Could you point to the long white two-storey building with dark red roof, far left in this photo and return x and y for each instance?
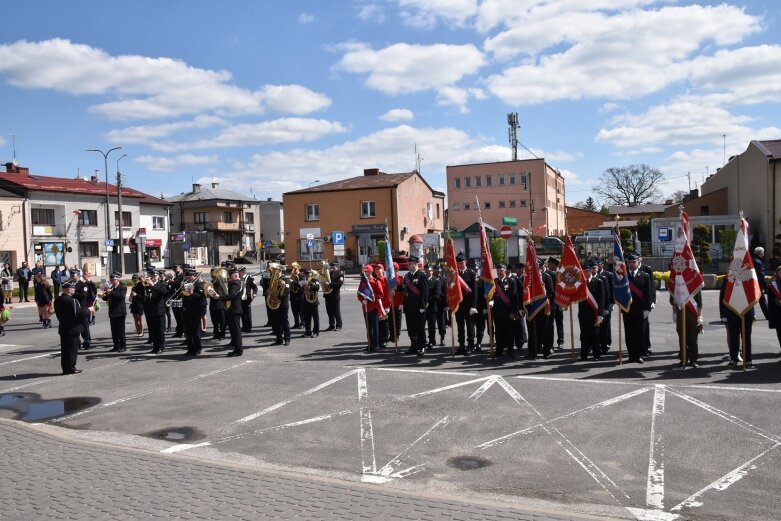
(65, 221)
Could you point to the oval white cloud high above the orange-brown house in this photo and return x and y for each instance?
(404, 68)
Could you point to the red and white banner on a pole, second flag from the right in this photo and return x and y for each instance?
(685, 276)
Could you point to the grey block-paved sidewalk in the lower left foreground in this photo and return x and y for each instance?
(48, 476)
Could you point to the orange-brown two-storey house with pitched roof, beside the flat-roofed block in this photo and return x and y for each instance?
(357, 212)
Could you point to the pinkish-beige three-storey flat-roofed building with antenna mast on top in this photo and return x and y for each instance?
(528, 193)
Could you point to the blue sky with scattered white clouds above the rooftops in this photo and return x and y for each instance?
(270, 96)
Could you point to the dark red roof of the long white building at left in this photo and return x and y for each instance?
(43, 183)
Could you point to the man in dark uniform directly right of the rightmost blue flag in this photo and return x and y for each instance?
(637, 316)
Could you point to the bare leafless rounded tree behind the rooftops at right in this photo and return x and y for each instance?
(630, 185)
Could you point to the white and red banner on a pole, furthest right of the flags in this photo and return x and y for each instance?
(742, 291)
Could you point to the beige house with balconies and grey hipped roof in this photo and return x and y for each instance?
(210, 225)
